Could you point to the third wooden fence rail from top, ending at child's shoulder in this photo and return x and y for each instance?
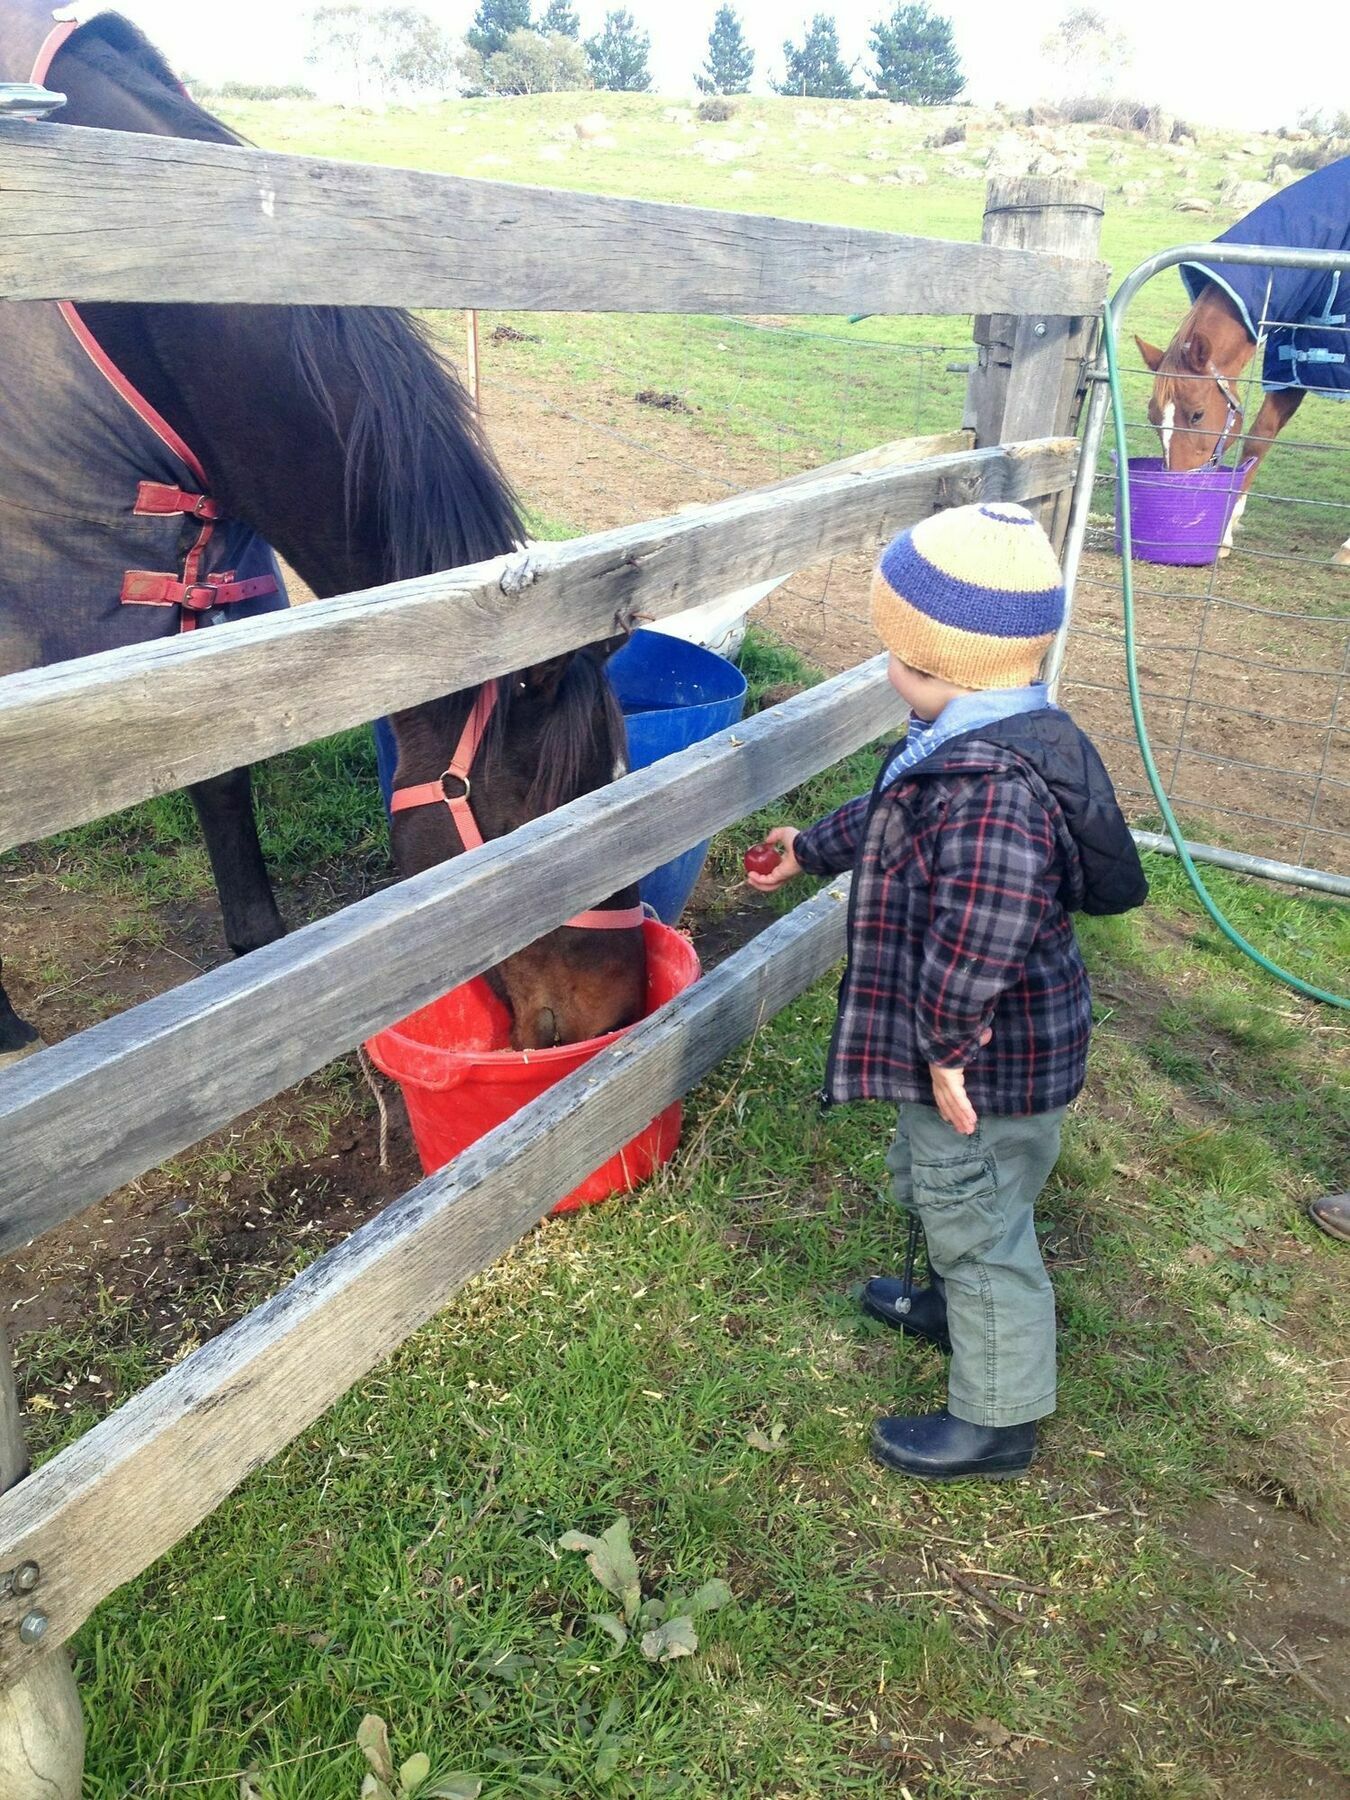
(102, 1108)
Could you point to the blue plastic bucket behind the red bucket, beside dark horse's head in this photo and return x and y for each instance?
(672, 694)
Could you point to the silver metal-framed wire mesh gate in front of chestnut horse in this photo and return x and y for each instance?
(1245, 665)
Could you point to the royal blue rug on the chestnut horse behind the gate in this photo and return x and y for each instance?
(1300, 310)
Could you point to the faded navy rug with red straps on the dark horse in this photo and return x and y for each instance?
(109, 534)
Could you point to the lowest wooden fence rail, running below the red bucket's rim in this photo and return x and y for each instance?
(118, 1498)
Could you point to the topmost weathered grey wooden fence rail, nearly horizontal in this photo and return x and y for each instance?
(112, 217)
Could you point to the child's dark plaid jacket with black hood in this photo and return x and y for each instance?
(966, 872)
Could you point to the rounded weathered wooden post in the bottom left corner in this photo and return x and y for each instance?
(42, 1729)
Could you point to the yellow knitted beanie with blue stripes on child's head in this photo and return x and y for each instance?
(973, 595)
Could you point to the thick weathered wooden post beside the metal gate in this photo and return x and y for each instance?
(1030, 379)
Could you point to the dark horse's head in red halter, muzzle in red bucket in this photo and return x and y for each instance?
(555, 733)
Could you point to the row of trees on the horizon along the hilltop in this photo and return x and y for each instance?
(912, 57)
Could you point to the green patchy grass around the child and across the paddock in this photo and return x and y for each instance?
(1156, 1615)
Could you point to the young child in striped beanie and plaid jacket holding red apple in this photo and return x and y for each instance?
(966, 998)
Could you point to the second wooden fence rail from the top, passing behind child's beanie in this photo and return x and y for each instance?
(84, 739)
